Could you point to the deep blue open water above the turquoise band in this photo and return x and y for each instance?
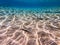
(30, 3)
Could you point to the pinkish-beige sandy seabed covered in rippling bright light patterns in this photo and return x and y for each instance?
(29, 29)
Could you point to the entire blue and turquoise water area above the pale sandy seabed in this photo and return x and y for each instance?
(44, 6)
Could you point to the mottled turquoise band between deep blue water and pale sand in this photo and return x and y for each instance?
(18, 11)
